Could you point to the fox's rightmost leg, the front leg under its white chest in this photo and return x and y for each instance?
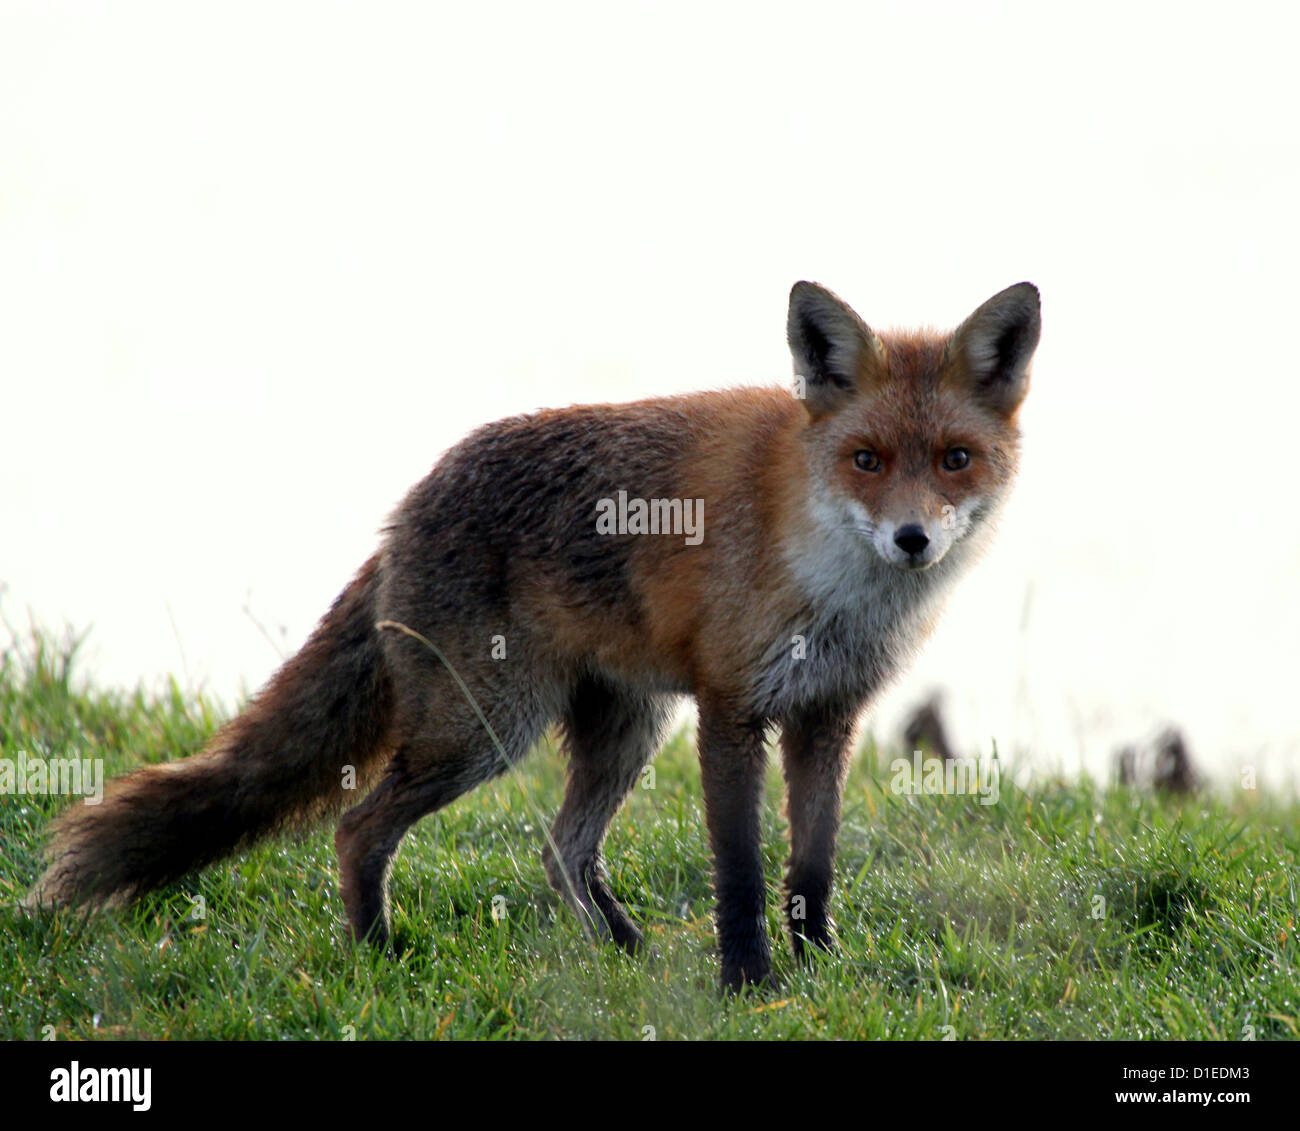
(816, 748)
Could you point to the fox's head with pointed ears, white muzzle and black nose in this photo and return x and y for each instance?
(912, 437)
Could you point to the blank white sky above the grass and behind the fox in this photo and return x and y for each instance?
(261, 265)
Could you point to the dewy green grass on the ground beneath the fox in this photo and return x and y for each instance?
(956, 920)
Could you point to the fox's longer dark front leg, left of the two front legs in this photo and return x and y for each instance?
(733, 760)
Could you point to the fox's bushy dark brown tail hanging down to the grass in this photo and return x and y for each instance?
(280, 765)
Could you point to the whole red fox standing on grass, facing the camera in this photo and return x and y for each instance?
(777, 557)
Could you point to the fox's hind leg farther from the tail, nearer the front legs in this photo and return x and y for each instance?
(610, 736)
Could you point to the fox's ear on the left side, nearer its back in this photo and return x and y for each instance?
(833, 348)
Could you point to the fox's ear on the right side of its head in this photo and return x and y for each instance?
(995, 346)
